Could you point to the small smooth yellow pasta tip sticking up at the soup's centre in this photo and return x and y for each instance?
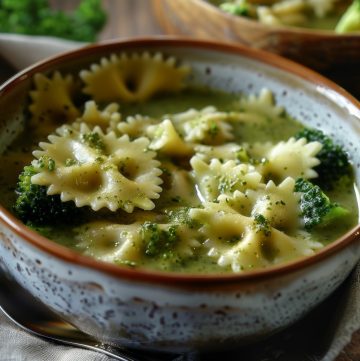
(164, 138)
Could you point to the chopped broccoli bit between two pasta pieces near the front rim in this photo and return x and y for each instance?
(159, 242)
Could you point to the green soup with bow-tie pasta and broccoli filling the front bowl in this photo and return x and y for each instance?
(133, 166)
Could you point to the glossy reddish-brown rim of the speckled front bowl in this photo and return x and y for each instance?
(178, 279)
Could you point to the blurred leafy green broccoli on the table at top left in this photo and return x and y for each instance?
(35, 17)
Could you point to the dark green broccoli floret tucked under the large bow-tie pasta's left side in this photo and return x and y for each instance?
(36, 208)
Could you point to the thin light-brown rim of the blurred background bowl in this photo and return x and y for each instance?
(281, 28)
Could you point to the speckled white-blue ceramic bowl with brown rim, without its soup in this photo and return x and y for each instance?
(178, 312)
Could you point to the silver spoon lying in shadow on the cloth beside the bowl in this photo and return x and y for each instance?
(28, 314)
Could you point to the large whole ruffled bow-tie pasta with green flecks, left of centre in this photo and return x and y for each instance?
(99, 170)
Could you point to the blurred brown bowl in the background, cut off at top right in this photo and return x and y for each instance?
(319, 49)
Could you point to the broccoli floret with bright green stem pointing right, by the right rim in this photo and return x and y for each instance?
(316, 208)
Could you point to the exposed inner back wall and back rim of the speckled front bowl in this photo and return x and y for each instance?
(308, 97)
